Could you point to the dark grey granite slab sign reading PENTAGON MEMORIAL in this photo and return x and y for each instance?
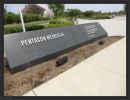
(28, 48)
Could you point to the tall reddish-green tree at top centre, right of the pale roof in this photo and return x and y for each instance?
(58, 9)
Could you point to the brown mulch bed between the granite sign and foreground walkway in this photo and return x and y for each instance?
(23, 81)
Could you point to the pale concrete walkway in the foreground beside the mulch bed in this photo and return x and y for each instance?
(103, 74)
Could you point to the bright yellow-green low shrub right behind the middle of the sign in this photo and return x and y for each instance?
(59, 23)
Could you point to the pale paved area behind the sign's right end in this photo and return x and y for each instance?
(114, 27)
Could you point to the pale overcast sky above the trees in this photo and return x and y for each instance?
(82, 7)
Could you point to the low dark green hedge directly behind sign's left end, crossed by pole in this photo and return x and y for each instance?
(18, 28)
